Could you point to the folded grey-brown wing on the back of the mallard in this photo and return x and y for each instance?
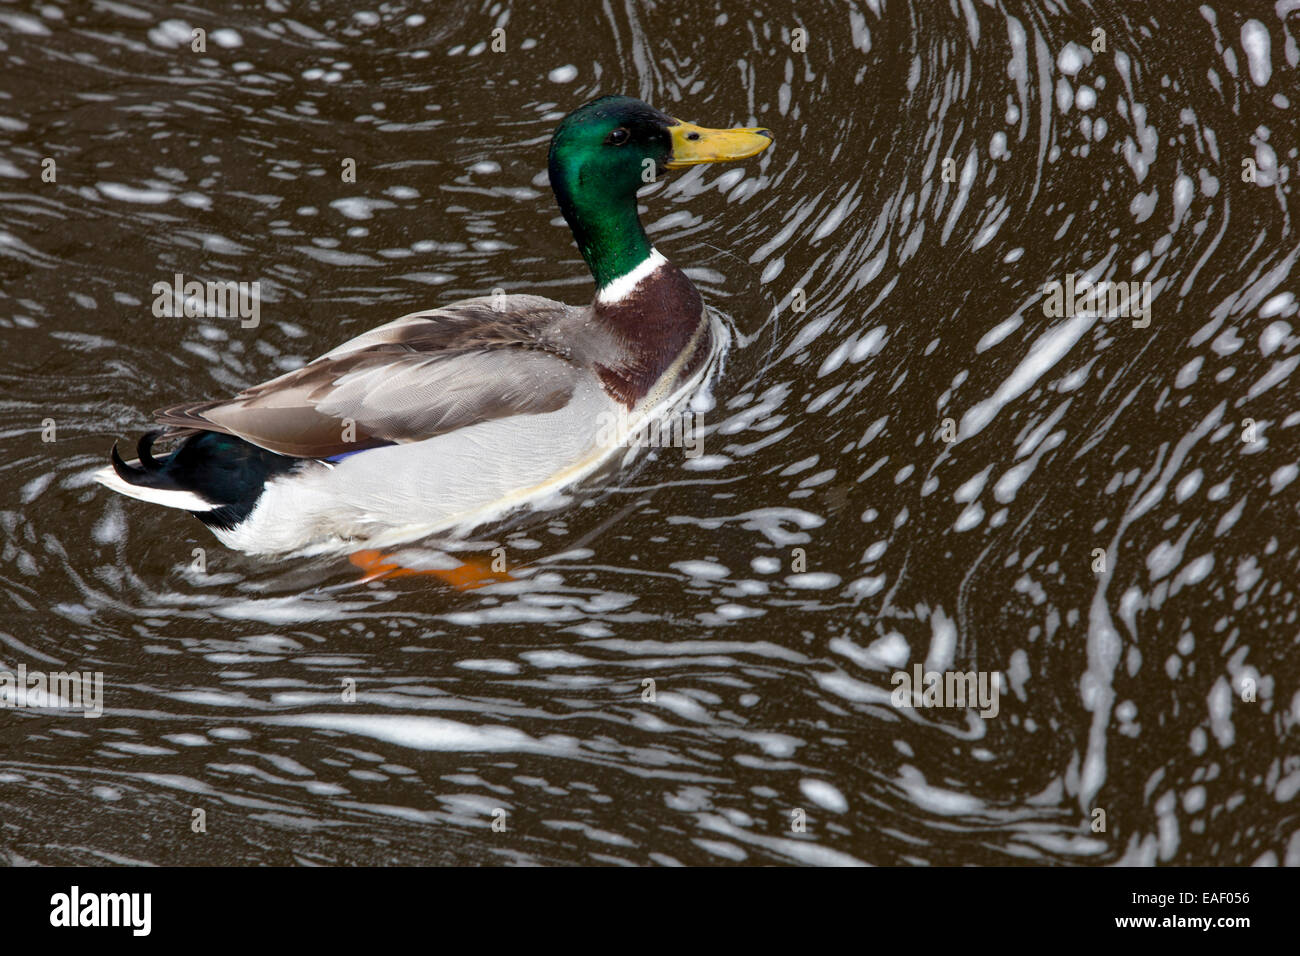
(417, 378)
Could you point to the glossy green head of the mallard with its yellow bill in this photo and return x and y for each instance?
(606, 150)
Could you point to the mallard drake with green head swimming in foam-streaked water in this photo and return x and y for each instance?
(448, 419)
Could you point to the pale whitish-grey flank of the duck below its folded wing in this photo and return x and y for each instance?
(453, 483)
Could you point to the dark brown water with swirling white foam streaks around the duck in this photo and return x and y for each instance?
(1163, 690)
